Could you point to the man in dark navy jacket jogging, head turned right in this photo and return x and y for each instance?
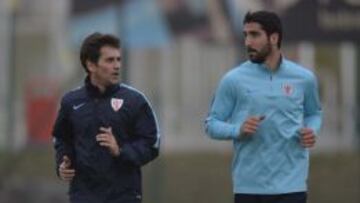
(105, 130)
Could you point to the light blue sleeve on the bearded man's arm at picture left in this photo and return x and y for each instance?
(217, 124)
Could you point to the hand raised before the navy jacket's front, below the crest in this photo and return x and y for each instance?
(106, 139)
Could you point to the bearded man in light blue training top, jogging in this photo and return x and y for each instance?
(269, 107)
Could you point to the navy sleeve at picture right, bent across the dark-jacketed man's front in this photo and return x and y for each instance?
(144, 146)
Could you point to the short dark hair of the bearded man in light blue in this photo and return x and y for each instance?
(269, 21)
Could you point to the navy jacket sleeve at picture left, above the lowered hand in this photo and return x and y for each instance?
(62, 136)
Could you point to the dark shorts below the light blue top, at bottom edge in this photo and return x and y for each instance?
(297, 197)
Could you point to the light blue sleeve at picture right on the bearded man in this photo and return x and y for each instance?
(312, 106)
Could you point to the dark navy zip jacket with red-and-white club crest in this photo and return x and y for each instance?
(100, 177)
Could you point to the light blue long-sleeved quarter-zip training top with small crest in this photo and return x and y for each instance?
(272, 161)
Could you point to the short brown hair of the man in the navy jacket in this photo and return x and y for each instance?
(90, 49)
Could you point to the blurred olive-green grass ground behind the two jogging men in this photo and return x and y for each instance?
(176, 178)
